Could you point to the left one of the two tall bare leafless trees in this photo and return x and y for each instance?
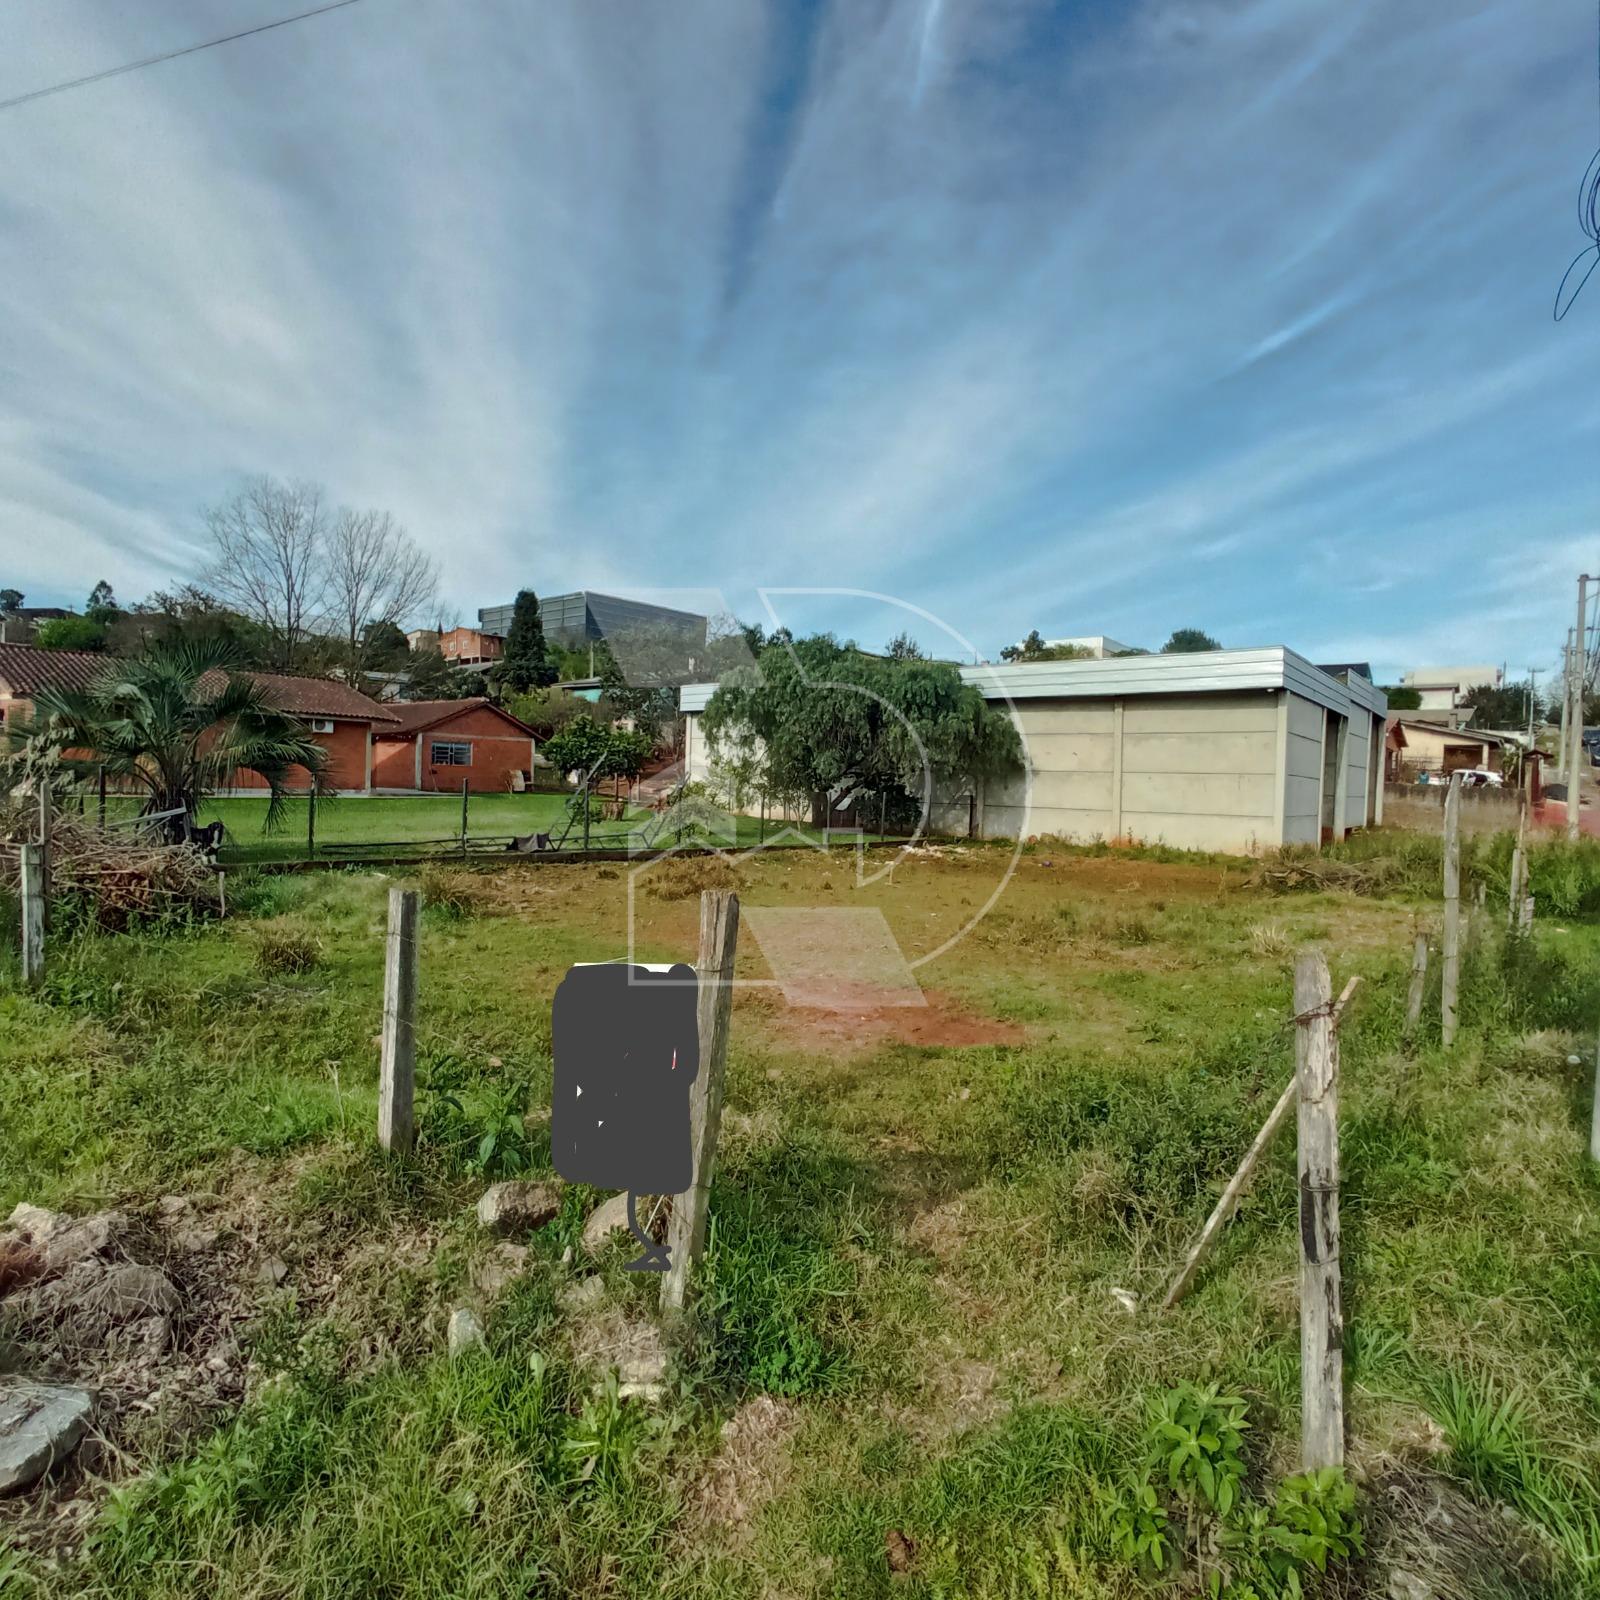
(270, 561)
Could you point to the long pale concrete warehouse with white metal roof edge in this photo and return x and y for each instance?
(1233, 750)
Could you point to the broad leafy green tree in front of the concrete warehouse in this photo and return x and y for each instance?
(838, 722)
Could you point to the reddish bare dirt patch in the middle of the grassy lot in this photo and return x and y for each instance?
(881, 1017)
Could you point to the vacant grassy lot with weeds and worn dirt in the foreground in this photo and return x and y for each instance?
(926, 1345)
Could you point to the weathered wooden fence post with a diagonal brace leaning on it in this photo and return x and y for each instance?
(1322, 1321)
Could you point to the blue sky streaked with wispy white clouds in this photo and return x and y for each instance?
(1095, 319)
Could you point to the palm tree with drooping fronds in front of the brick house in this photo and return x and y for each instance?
(180, 722)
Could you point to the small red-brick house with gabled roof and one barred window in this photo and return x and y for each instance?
(438, 745)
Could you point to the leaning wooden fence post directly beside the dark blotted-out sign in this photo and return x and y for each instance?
(719, 946)
